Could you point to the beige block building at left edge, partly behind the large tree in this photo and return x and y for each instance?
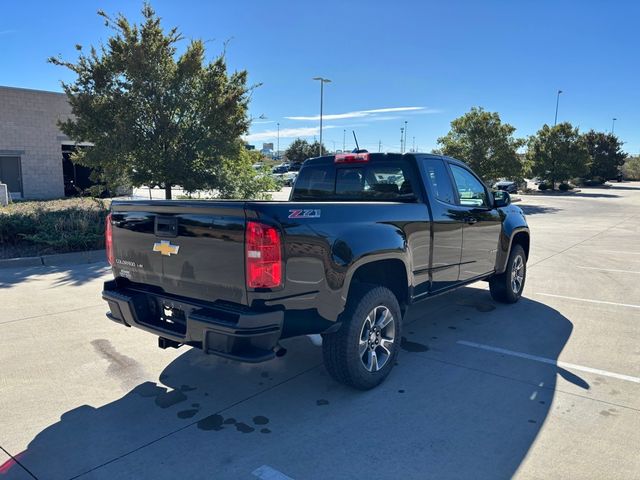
(32, 146)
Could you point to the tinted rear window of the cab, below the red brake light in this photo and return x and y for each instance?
(370, 182)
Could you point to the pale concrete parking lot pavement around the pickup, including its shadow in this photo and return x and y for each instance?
(546, 388)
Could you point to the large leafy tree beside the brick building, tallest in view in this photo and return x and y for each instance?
(154, 117)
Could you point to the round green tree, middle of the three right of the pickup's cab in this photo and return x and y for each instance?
(558, 153)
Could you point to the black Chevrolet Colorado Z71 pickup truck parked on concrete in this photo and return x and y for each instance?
(362, 237)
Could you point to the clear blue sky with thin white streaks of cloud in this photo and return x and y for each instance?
(433, 59)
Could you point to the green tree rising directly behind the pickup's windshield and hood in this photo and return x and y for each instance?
(485, 143)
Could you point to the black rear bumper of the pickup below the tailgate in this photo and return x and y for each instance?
(239, 334)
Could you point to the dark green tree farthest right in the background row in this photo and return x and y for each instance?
(605, 150)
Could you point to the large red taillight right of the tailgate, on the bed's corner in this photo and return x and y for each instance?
(263, 248)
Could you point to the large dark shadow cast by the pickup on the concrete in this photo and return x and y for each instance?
(448, 410)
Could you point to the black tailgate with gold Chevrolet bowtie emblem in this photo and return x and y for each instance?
(192, 249)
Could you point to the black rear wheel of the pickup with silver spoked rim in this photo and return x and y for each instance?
(341, 350)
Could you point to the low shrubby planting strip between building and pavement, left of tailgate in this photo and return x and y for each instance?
(30, 228)
